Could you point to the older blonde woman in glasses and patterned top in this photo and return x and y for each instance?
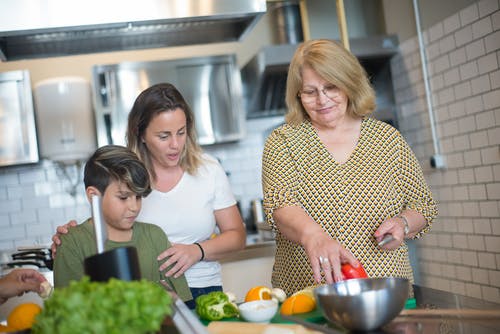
(336, 181)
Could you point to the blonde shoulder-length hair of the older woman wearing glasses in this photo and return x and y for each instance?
(335, 64)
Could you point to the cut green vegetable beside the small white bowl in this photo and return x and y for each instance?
(215, 306)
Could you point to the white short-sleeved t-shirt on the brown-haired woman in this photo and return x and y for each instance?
(186, 214)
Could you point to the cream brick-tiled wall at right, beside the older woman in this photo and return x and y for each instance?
(462, 253)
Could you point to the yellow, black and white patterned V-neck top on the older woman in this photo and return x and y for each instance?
(381, 178)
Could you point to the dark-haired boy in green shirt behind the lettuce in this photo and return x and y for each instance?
(121, 179)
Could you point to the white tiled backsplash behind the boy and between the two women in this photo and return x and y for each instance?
(35, 199)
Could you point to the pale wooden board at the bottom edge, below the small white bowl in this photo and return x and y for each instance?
(231, 327)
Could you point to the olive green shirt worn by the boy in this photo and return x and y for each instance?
(148, 239)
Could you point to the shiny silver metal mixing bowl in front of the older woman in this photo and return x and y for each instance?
(363, 303)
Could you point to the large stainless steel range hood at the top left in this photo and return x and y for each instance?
(46, 28)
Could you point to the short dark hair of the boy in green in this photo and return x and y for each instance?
(116, 163)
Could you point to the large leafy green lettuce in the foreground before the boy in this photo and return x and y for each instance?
(115, 306)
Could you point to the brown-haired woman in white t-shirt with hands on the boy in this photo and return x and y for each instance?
(191, 200)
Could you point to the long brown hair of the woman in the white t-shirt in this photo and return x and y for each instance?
(152, 101)
